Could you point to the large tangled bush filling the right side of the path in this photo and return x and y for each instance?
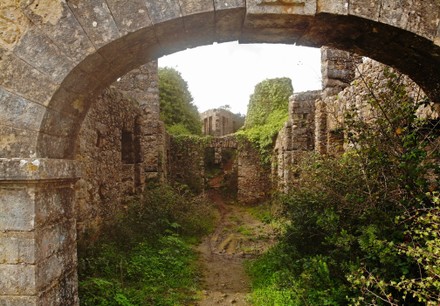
(363, 228)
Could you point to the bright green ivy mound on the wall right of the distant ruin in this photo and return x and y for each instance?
(267, 112)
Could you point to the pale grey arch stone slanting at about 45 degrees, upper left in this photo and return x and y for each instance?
(38, 50)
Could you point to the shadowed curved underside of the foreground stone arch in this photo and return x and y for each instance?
(413, 55)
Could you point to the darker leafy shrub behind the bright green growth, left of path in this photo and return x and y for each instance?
(161, 209)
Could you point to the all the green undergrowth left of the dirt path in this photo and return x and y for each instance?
(144, 255)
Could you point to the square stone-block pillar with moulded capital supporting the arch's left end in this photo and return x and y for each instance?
(38, 263)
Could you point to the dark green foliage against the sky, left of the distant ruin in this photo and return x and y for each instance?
(180, 115)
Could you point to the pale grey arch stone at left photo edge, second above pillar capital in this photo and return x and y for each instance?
(19, 112)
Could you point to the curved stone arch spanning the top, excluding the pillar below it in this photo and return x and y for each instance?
(70, 53)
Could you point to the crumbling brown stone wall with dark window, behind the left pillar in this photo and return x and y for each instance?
(121, 146)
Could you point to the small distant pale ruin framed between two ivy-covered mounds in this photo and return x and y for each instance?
(220, 122)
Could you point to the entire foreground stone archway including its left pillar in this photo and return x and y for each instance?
(57, 54)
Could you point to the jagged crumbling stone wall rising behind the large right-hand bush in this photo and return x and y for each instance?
(347, 81)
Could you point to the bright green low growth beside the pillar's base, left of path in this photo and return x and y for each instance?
(164, 273)
